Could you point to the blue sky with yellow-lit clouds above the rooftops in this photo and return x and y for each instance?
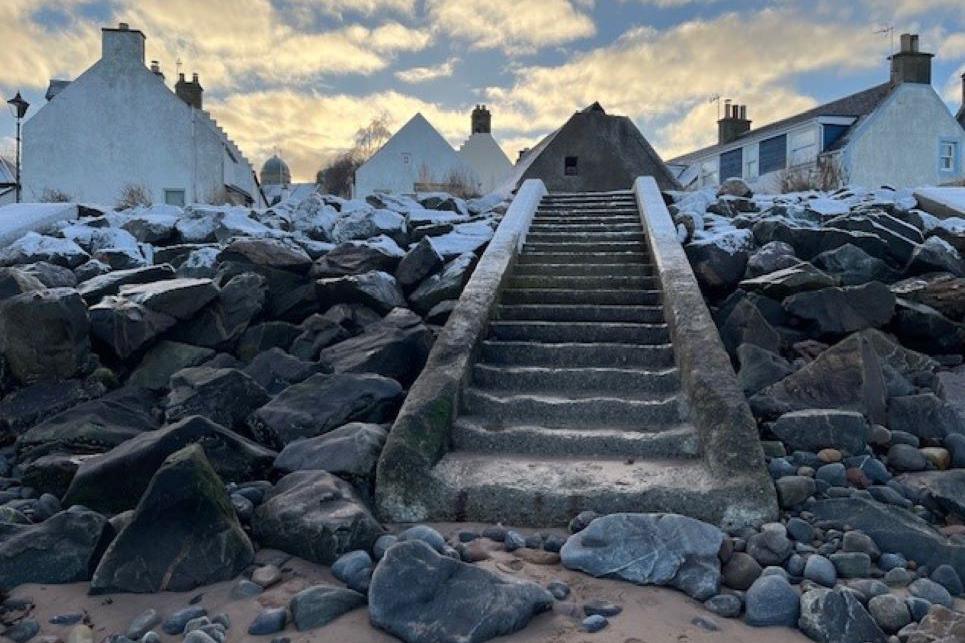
(301, 76)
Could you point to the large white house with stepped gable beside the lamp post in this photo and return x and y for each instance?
(118, 126)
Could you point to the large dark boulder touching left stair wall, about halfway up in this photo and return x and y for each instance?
(395, 347)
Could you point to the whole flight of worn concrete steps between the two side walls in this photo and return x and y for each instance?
(574, 399)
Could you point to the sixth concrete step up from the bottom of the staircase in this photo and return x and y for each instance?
(551, 332)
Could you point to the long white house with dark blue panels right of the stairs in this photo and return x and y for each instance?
(899, 133)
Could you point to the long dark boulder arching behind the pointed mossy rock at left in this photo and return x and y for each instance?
(113, 482)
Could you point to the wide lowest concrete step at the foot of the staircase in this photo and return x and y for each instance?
(545, 491)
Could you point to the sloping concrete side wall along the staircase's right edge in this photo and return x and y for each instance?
(715, 403)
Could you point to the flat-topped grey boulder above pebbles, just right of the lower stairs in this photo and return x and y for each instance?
(816, 429)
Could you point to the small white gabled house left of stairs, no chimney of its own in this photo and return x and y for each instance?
(415, 159)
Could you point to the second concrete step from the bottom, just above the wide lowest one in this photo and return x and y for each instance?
(476, 434)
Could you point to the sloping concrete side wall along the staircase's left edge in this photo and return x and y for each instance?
(420, 434)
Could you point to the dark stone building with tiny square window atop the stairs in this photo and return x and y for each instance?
(594, 152)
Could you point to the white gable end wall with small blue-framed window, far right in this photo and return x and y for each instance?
(899, 145)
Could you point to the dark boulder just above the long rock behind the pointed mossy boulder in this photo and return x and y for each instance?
(92, 427)
